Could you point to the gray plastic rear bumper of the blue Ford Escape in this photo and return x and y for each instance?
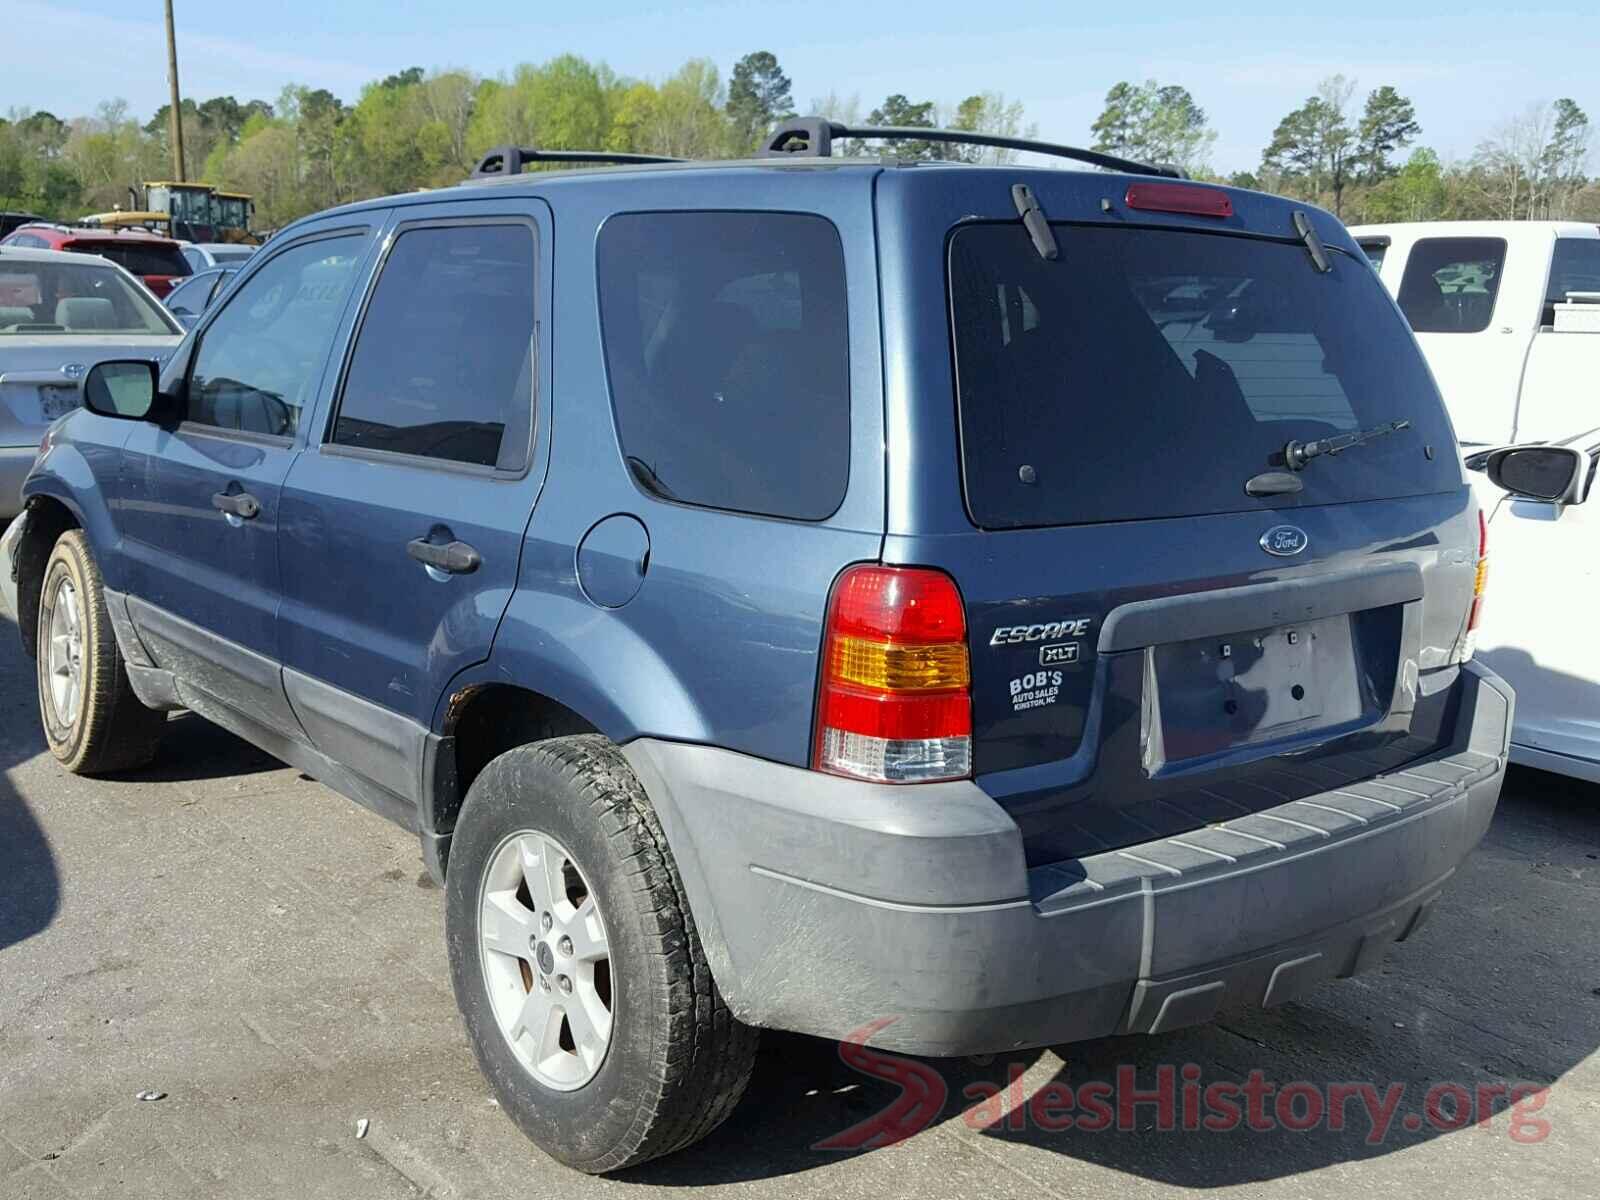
(826, 905)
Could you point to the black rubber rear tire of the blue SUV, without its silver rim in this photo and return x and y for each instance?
(678, 1062)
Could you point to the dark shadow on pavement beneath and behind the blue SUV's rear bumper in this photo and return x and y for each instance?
(1494, 996)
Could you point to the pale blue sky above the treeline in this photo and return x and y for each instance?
(1470, 66)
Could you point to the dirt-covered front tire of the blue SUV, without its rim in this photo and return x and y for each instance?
(110, 730)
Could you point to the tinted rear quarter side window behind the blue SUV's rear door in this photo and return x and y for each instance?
(726, 343)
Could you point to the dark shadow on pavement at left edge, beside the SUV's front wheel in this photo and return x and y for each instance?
(30, 881)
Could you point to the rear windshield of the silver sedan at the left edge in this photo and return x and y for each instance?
(44, 298)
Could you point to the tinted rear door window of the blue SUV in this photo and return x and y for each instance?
(444, 361)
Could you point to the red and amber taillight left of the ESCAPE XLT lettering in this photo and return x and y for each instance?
(895, 705)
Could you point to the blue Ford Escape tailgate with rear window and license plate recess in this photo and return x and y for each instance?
(1154, 647)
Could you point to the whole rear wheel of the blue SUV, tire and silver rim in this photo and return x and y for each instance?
(577, 966)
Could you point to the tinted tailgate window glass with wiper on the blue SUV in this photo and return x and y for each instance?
(1153, 374)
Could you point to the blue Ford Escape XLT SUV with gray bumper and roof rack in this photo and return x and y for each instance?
(991, 606)
